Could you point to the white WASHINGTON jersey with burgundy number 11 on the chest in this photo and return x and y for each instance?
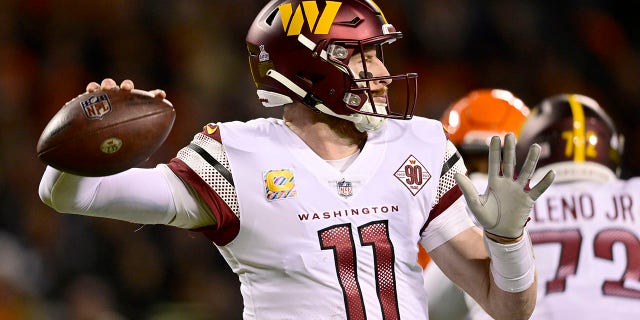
(308, 241)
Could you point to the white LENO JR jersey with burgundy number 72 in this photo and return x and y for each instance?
(586, 238)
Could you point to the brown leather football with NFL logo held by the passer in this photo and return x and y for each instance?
(105, 132)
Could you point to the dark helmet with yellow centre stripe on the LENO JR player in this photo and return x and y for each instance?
(578, 139)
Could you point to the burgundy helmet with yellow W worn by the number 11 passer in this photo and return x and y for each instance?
(300, 50)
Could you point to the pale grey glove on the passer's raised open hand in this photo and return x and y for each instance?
(504, 208)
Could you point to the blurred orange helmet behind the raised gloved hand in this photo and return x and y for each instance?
(472, 120)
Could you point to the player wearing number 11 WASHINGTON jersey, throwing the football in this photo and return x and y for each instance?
(320, 213)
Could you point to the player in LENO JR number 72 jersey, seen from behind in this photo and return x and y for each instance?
(586, 227)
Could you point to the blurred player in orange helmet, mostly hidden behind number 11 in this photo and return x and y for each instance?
(470, 122)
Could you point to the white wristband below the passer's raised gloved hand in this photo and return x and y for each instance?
(512, 265)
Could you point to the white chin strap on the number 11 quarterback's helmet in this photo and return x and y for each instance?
(362, 122)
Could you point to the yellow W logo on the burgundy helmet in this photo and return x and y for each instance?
(293, 21)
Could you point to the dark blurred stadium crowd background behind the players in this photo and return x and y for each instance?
(55, 266)
